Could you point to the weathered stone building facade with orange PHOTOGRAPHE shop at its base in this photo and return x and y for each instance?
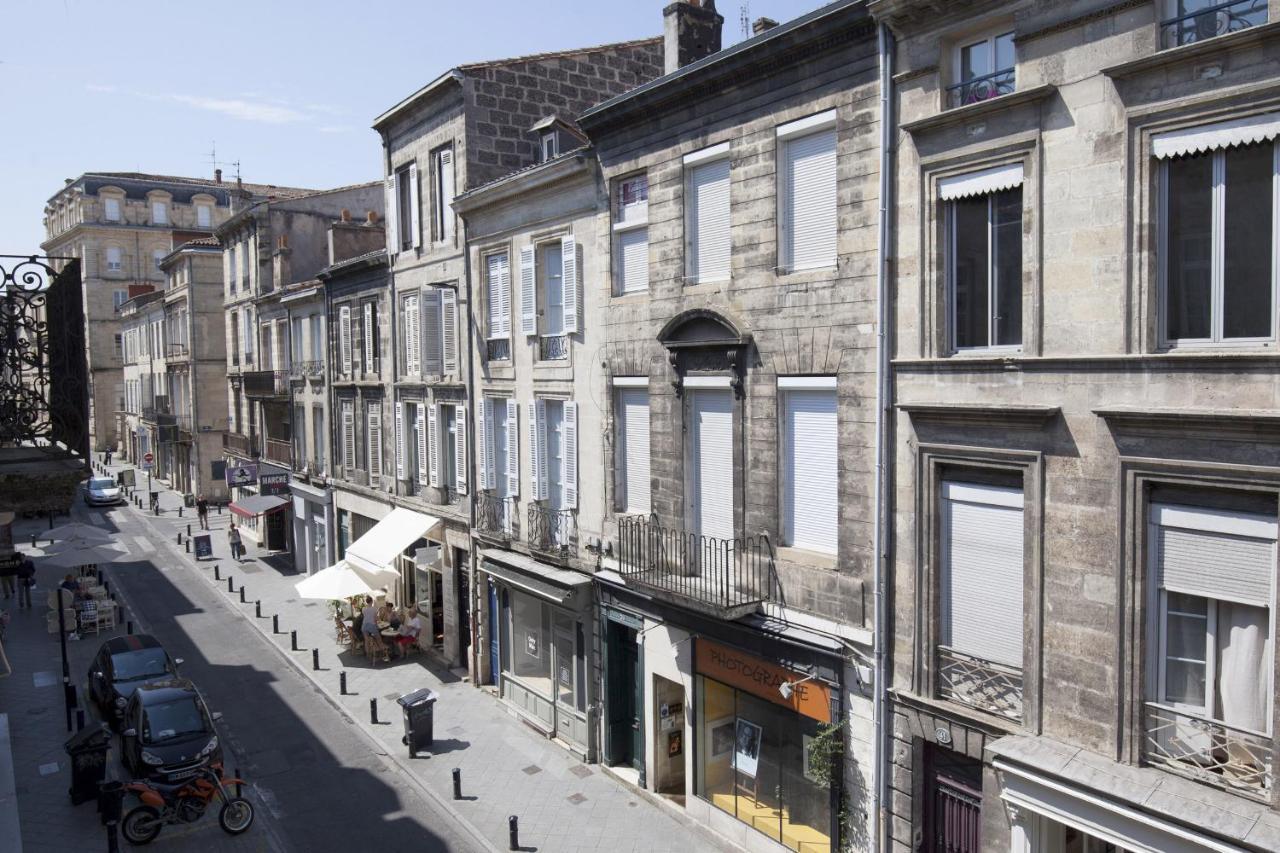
(738, 396)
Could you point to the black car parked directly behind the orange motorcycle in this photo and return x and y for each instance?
(168, 733)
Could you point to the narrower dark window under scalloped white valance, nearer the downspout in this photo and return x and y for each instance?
(985, 258)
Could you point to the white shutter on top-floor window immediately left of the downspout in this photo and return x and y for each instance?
(810, 200)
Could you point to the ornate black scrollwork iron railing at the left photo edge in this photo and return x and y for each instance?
(44, 373)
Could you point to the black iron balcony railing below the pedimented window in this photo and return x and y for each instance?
(728, 578)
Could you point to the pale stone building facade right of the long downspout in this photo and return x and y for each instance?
(1085, 473)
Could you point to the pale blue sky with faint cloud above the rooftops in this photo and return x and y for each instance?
(289, 89)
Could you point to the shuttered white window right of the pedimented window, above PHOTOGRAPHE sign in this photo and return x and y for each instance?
(810, 463)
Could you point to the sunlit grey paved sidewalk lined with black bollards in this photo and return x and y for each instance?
(564, 806)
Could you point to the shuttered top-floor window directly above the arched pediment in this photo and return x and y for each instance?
(707, 215)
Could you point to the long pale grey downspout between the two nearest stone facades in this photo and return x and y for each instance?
(884, 448)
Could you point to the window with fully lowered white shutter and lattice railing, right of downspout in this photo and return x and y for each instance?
(981, 597)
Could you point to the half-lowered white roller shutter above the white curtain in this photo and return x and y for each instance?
(1227, 556)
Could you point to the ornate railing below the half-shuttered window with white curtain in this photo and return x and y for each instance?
(1208, 751)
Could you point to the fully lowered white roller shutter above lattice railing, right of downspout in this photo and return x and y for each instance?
(981, 585)
